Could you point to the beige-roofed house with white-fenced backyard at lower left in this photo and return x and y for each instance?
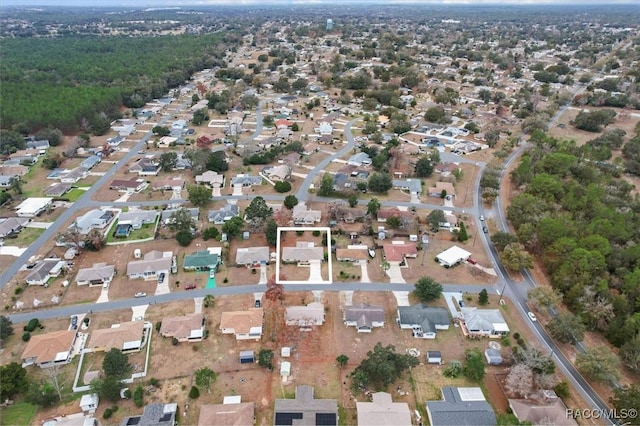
(126, 337)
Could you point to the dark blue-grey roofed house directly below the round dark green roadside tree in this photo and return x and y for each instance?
(423, 320)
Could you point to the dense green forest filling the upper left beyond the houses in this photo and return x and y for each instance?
(73, 82)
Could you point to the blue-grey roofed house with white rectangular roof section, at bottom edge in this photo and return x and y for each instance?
(461, 406)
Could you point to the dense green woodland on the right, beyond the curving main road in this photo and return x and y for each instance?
(582, 219)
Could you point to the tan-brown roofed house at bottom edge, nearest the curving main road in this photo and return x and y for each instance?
(542, 408)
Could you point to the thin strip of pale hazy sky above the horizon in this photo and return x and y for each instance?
(170, 3)
